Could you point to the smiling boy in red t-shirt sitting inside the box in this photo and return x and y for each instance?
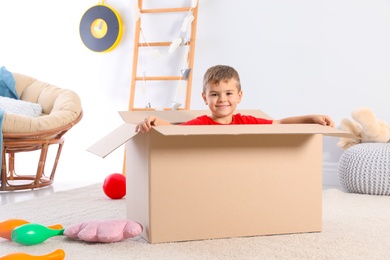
(222, 93)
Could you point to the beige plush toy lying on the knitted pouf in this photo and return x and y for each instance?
(366, 127)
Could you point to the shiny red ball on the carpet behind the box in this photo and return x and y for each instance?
(114, 186)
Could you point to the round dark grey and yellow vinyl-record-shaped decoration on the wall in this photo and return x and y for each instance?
(101, 28)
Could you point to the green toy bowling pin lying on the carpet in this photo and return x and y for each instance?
(32, 234)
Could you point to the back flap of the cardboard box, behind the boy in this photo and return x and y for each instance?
(178, 116)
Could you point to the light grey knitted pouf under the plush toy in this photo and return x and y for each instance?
(365, 168)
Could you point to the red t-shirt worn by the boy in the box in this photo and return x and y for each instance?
(238, 119)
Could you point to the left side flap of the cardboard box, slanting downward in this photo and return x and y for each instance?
(113, 140)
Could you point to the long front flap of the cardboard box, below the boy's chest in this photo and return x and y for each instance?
(252, 129)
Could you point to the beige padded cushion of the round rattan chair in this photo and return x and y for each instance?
(59, 106)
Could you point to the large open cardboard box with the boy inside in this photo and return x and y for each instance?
(205, 182)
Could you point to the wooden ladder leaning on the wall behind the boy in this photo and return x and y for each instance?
(137, 45)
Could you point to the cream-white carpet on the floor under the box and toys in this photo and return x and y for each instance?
(354, 227)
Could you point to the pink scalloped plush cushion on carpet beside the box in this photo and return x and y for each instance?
(105, 231)
